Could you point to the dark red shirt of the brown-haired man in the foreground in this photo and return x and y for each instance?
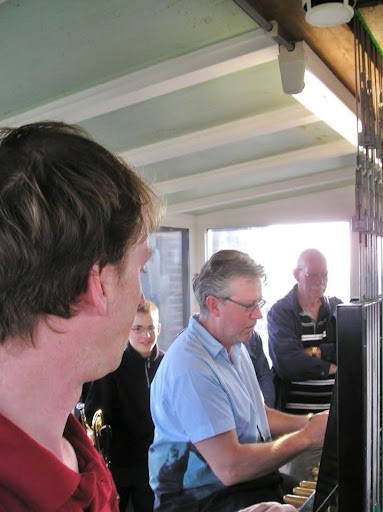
(33, 479)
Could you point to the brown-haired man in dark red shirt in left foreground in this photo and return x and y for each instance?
(74, 223)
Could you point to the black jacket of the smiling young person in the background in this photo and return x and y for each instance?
(124, 397)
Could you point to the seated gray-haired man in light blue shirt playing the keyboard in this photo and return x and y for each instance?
(216, 446)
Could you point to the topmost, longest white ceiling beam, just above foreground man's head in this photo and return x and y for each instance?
(214, 61)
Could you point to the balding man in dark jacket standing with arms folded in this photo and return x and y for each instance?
(301, 328)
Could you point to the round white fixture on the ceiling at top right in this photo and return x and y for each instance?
(320, 13)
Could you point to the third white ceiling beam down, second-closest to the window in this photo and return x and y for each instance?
(281, 161)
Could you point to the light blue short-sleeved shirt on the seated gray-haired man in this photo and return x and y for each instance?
(198, 393)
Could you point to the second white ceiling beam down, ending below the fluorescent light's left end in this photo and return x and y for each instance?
(243, 129)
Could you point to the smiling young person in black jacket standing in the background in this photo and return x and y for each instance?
(123, 396)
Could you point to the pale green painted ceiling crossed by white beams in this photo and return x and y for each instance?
(189, 92)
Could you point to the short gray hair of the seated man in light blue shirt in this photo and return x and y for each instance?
(219, 271)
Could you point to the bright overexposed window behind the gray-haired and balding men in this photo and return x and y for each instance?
(277, 248)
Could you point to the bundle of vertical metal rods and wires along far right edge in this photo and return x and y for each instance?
(369, 224)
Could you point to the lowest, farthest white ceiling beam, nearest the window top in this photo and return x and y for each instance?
(298, 186)
